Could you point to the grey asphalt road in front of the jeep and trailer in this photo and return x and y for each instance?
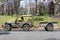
(30, 35)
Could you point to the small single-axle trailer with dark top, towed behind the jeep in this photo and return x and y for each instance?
(49, 26)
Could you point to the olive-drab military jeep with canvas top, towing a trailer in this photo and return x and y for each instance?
(23, 22)
